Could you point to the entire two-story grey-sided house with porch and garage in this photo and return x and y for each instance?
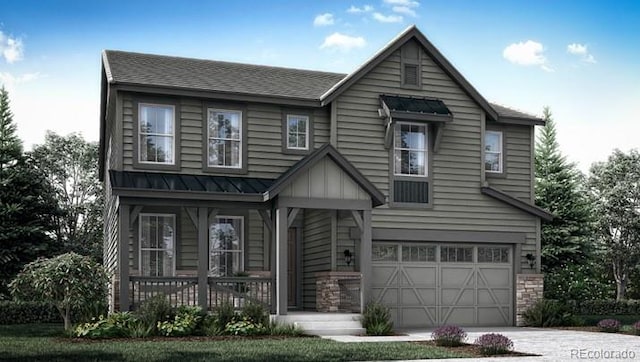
(315, 191)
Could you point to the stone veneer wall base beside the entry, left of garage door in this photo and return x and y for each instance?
(328, 298)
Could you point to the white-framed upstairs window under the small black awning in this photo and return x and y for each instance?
(410, 149)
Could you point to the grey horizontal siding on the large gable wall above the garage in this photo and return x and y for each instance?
(456, 170)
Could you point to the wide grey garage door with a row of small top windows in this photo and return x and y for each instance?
(436, 284)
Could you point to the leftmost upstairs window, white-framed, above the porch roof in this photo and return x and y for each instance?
(157, 134)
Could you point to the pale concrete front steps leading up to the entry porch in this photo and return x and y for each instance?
(325, 324)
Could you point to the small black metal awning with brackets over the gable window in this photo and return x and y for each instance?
(409, 108)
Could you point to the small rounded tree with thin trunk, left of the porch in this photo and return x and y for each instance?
(69, 281)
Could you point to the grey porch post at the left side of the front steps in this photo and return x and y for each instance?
(281, 260)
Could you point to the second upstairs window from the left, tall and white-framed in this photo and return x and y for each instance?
(224, 138)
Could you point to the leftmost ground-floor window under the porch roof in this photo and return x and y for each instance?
(157, 244)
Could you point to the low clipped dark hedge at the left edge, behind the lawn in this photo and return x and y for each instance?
(12, 312)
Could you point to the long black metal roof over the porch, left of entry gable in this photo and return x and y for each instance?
(155, 184)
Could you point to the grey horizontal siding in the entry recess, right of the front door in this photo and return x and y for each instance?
(316, 252)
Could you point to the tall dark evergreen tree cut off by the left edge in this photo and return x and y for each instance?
(27, 204)
